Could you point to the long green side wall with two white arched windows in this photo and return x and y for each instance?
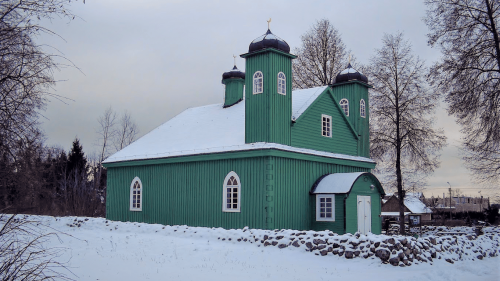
(188, 193)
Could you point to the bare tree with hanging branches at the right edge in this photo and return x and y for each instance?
(467, 32)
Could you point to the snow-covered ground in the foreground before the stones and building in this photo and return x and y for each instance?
(96, 249)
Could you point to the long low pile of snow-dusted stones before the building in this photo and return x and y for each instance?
(395, 250)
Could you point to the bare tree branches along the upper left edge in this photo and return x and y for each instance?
(26, 70)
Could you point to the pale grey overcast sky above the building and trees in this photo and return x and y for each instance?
(157, 58)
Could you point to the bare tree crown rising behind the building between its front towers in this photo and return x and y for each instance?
(320, 58)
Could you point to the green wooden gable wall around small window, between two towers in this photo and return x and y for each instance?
(306, 132)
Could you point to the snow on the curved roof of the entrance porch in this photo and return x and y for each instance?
(337, 183)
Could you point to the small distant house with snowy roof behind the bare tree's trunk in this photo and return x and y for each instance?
(412, 203)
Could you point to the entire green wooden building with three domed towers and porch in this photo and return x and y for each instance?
(268, 157)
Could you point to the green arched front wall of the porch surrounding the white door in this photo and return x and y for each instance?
(362, 187)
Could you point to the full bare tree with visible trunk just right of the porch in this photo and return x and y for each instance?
(401, 106)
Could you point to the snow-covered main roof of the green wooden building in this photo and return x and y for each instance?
(212, 129)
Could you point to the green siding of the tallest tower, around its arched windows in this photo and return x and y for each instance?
(268, 115)
